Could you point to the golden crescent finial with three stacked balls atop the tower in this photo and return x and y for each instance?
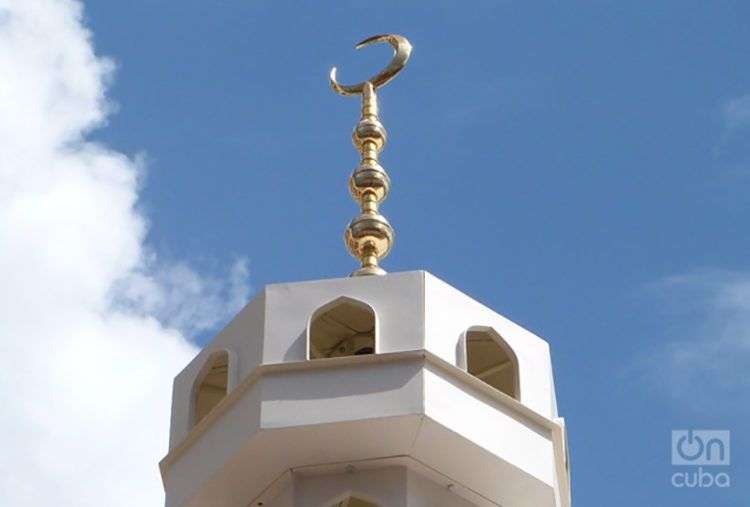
(369, 236)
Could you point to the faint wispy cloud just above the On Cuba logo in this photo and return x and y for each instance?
(703, 363)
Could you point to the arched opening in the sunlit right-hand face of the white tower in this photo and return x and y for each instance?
(492, 361)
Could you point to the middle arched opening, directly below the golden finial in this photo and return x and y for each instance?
(344, 327)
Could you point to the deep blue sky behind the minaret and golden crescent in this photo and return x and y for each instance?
(580, 167)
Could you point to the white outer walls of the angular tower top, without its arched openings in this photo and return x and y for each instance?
(412, 399)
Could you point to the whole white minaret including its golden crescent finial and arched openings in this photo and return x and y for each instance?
(395, 390)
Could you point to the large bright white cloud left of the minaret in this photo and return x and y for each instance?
(91, 322)
